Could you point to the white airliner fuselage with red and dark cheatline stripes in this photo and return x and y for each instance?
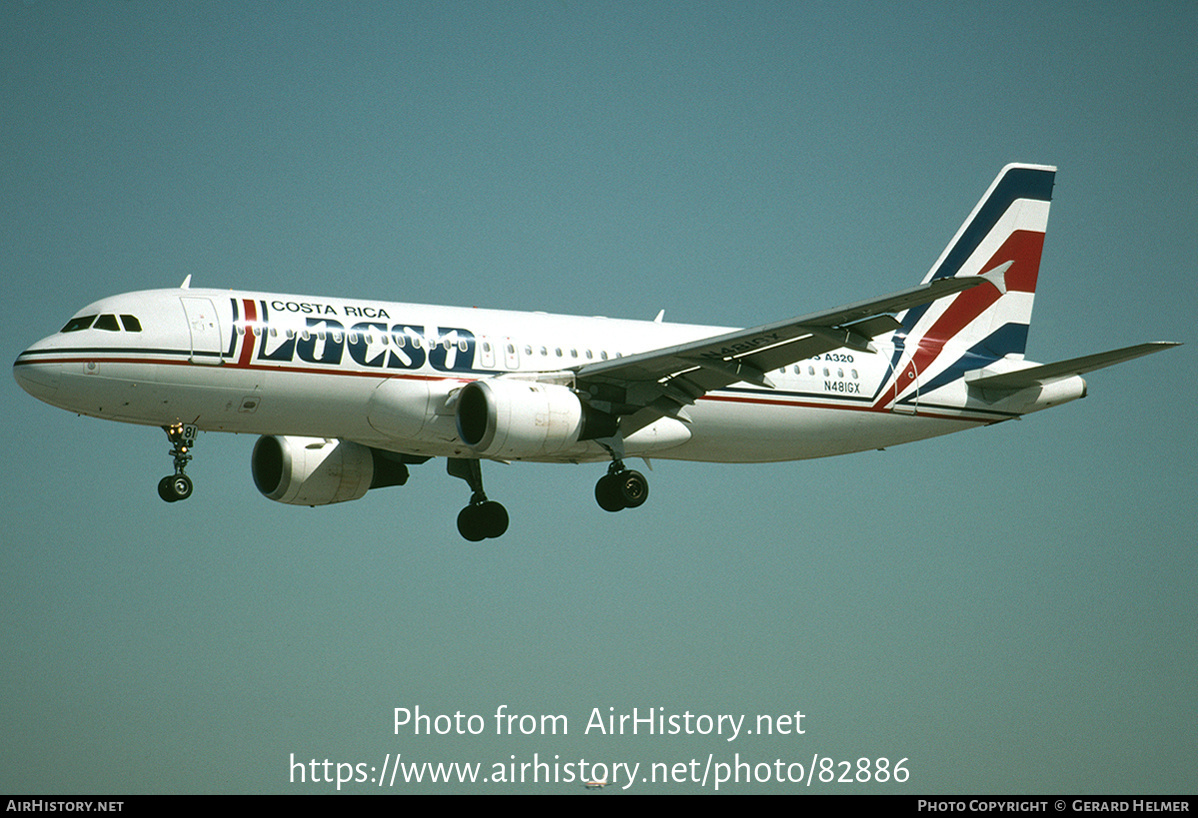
(384, 375)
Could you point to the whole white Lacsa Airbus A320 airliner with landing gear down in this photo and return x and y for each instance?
(348, 395)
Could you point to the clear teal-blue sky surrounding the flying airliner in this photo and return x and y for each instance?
(1011, 609)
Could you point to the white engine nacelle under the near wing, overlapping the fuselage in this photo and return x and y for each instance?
(522, 420)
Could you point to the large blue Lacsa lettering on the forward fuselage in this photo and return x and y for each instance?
(373, 344)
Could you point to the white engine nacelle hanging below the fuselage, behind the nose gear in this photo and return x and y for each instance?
(317, 471)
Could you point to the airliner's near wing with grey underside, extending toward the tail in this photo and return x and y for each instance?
(657, 384)
